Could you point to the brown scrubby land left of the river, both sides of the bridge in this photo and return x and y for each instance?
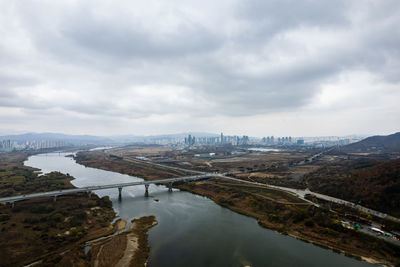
(47, 232)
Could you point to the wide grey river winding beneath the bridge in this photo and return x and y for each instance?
(193, 230)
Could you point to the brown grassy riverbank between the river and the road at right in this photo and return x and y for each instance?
(274, 210)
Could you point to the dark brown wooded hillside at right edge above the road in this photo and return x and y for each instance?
(372, 184)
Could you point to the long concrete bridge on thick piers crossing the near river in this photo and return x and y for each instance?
(89, 189)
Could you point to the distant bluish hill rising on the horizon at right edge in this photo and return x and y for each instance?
(388, 143)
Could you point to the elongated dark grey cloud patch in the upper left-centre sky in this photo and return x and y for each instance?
(127, 41)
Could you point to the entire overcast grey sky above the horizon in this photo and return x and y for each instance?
(256, 67)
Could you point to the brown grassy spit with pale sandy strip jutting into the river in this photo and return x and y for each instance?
(129, 248)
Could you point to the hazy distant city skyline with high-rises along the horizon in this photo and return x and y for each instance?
(33, 141)
